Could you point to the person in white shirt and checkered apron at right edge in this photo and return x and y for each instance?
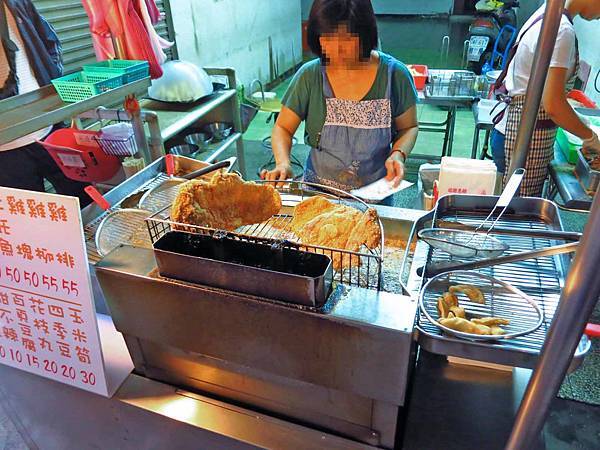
(555, 110)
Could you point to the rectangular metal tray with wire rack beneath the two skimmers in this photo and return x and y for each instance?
(542, 278)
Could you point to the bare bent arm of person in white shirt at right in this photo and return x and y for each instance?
(558, 108)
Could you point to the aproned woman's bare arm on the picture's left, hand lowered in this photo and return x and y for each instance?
(281, 140)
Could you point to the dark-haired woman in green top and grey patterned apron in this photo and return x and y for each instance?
(358, 104)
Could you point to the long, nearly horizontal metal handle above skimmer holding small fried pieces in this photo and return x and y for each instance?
(435, 269)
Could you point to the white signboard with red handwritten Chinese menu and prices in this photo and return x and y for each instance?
(48, 321)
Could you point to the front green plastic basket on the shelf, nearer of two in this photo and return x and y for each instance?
(81, 86)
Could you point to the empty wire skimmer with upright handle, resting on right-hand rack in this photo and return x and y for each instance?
(469, 244)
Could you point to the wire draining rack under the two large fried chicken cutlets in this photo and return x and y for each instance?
(365, 268)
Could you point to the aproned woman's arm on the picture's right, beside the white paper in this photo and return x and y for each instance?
(407, 127)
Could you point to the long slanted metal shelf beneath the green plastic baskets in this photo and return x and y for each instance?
(35, 110)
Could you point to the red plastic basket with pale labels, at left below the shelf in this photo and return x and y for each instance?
(79, 156)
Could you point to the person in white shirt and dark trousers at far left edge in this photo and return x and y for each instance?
(24, 164)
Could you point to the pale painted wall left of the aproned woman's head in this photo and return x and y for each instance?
(236, 33)
